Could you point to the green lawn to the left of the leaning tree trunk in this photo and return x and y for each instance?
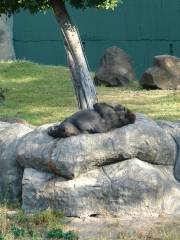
(36, 93)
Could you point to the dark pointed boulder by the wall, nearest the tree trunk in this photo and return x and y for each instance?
(115, 68)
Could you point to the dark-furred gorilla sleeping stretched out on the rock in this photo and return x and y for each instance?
(102, 118)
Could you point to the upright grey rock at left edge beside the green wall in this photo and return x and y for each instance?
(6, 38)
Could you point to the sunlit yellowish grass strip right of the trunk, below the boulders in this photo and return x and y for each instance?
(157, 104)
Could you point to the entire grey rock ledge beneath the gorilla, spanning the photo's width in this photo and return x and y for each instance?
(130, 170)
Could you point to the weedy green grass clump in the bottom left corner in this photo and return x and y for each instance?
(45, 225)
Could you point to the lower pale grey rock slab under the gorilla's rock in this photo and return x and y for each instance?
(131, 187)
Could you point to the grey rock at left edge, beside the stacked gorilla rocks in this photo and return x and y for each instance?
(10, 171)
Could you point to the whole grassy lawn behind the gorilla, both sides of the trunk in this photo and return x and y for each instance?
(42, 94)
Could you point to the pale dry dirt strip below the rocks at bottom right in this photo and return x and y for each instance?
(126, 228)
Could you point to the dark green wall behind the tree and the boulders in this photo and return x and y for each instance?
(143, 28)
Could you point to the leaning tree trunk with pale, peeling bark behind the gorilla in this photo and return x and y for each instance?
(83, 84)
